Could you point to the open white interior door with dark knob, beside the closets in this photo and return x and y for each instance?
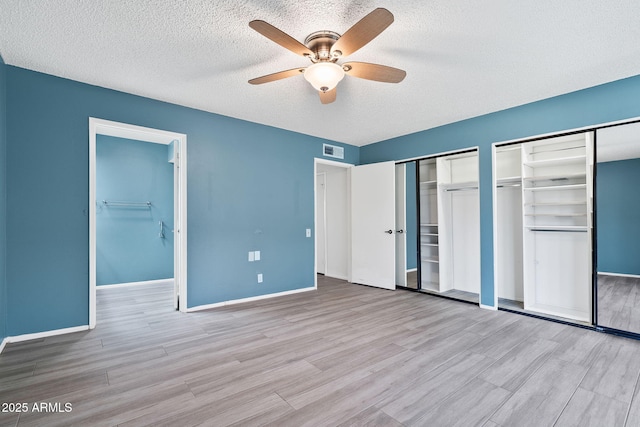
(373, 225)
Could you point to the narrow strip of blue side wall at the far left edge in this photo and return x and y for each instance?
(3, 202)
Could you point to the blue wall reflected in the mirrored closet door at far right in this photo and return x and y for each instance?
(618, 216)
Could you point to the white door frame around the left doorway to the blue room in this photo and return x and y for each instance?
(123, 130)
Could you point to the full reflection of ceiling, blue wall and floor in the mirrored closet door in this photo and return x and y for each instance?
(618, 227)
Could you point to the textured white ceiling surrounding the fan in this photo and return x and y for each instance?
(463, 57)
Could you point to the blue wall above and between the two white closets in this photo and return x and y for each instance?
(600, 104)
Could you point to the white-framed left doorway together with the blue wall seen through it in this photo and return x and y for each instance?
(127, 212)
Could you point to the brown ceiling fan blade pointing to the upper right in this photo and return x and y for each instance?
(363, 31)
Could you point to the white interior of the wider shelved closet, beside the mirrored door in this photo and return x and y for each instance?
(548, 226)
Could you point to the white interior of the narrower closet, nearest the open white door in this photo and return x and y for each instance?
(450, 225)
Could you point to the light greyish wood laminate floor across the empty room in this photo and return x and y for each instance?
(344, 355)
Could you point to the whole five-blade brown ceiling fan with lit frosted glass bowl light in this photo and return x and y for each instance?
(325, 48)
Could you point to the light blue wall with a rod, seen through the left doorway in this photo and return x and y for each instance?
(128, 243)
